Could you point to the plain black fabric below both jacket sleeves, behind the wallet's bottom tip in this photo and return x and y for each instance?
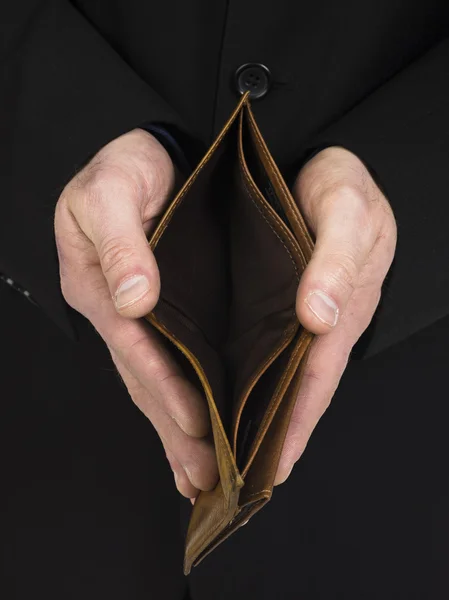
(363, 515)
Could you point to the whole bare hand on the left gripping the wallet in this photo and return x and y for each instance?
(109, 274)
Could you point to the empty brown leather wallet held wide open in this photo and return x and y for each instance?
(231, 248)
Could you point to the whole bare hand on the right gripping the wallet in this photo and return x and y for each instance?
(340, 289)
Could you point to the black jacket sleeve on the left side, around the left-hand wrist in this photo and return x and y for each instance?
(65, 93)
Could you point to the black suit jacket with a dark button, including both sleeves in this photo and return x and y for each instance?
(369, 75)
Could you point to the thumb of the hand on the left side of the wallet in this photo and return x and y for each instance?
(109, 214)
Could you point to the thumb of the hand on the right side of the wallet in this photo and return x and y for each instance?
(346, 230)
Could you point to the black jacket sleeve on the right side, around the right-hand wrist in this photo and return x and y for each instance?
(401, 132)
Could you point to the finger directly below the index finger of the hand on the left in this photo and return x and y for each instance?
(195, 455)
